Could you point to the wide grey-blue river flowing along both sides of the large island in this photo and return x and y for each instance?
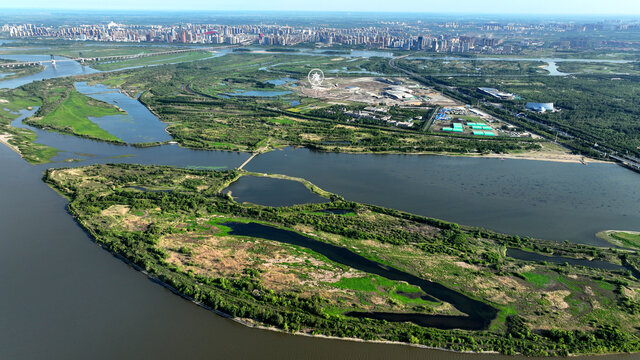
(63, 297)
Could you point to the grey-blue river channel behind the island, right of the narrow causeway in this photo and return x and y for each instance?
(549, 200)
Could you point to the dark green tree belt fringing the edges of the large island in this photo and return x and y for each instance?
(243, 296)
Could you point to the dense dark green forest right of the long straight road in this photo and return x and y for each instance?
(611, 121)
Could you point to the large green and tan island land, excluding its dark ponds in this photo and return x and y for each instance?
(170, 223)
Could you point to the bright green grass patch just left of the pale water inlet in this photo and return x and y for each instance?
(72, 115)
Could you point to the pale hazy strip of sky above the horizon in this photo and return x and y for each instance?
(575, 7)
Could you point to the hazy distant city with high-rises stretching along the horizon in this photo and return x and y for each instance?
(455, 37)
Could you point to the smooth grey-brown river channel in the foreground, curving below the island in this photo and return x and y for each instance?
(67, 298)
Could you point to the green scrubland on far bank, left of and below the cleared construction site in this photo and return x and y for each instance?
(192, 98)
